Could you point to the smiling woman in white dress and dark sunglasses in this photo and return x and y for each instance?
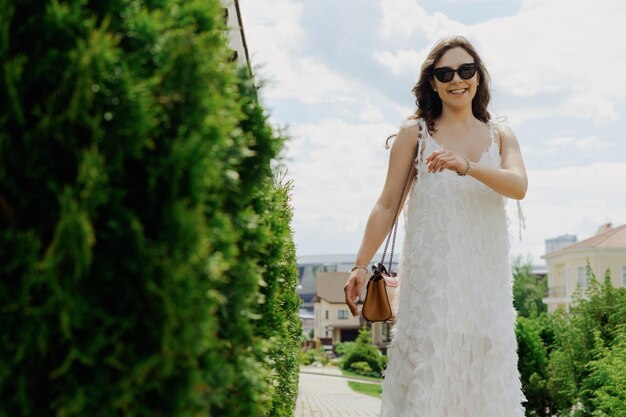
(453, 351)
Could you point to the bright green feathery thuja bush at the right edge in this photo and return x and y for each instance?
(587, 355)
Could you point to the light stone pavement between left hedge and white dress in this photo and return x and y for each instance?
(323, 393)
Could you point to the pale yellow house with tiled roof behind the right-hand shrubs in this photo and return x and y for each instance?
(567, 265)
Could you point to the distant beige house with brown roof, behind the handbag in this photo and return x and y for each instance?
(332, 318)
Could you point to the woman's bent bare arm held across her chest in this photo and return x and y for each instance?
(510, 179)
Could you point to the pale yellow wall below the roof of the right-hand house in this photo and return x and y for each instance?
(568, 268)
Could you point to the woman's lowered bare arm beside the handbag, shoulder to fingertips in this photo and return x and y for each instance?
(381, 216)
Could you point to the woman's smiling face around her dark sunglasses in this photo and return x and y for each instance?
(458, 92)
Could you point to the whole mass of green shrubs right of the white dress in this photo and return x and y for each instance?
(572, 362)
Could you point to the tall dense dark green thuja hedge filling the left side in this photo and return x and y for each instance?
(145, 253)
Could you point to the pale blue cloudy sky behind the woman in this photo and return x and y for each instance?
(337, 77)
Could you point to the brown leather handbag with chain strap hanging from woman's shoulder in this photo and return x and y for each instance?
(382, 286)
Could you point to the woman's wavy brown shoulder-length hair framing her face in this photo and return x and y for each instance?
(428, 102)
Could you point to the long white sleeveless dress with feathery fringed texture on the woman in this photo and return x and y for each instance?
(453, 351)
